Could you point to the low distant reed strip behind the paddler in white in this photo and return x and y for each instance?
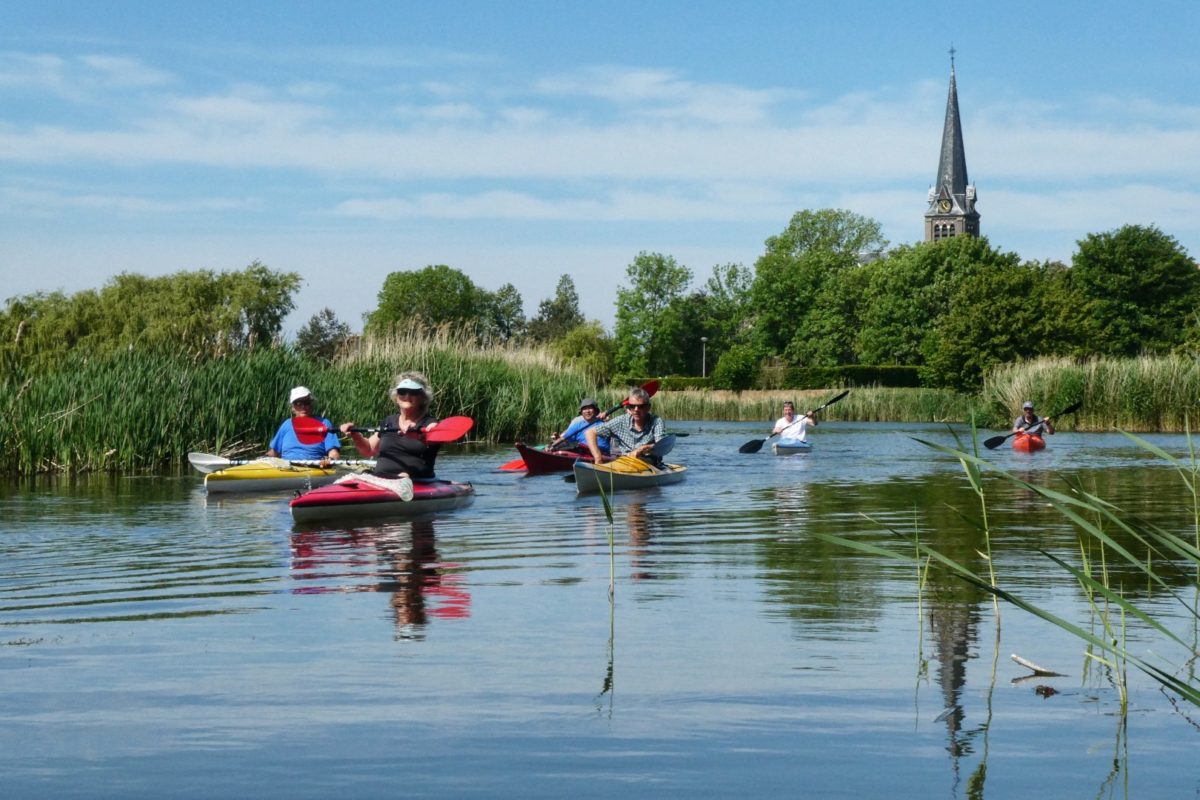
(867, 405)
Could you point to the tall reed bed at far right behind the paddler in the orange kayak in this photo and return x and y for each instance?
(1143, 394)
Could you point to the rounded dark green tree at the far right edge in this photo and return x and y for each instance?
(1142, 290)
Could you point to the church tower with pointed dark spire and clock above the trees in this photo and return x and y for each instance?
(951, 212)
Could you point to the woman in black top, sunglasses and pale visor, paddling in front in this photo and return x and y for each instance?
(399, 448)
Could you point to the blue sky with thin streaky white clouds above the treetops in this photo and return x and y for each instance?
(518, 142)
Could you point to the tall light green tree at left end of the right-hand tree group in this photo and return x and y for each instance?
(651, 316)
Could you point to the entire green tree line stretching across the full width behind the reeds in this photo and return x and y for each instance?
(827, 292)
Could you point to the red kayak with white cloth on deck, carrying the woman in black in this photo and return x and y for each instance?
(365, 496)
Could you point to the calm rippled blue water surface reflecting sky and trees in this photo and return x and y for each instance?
(157, 642)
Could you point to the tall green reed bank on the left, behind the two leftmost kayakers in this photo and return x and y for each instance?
(140, 411)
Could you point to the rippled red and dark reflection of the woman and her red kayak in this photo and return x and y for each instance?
(400, 560)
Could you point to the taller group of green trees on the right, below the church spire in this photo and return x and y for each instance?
(827, 292)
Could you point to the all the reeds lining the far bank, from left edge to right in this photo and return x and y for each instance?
(142, 411)
